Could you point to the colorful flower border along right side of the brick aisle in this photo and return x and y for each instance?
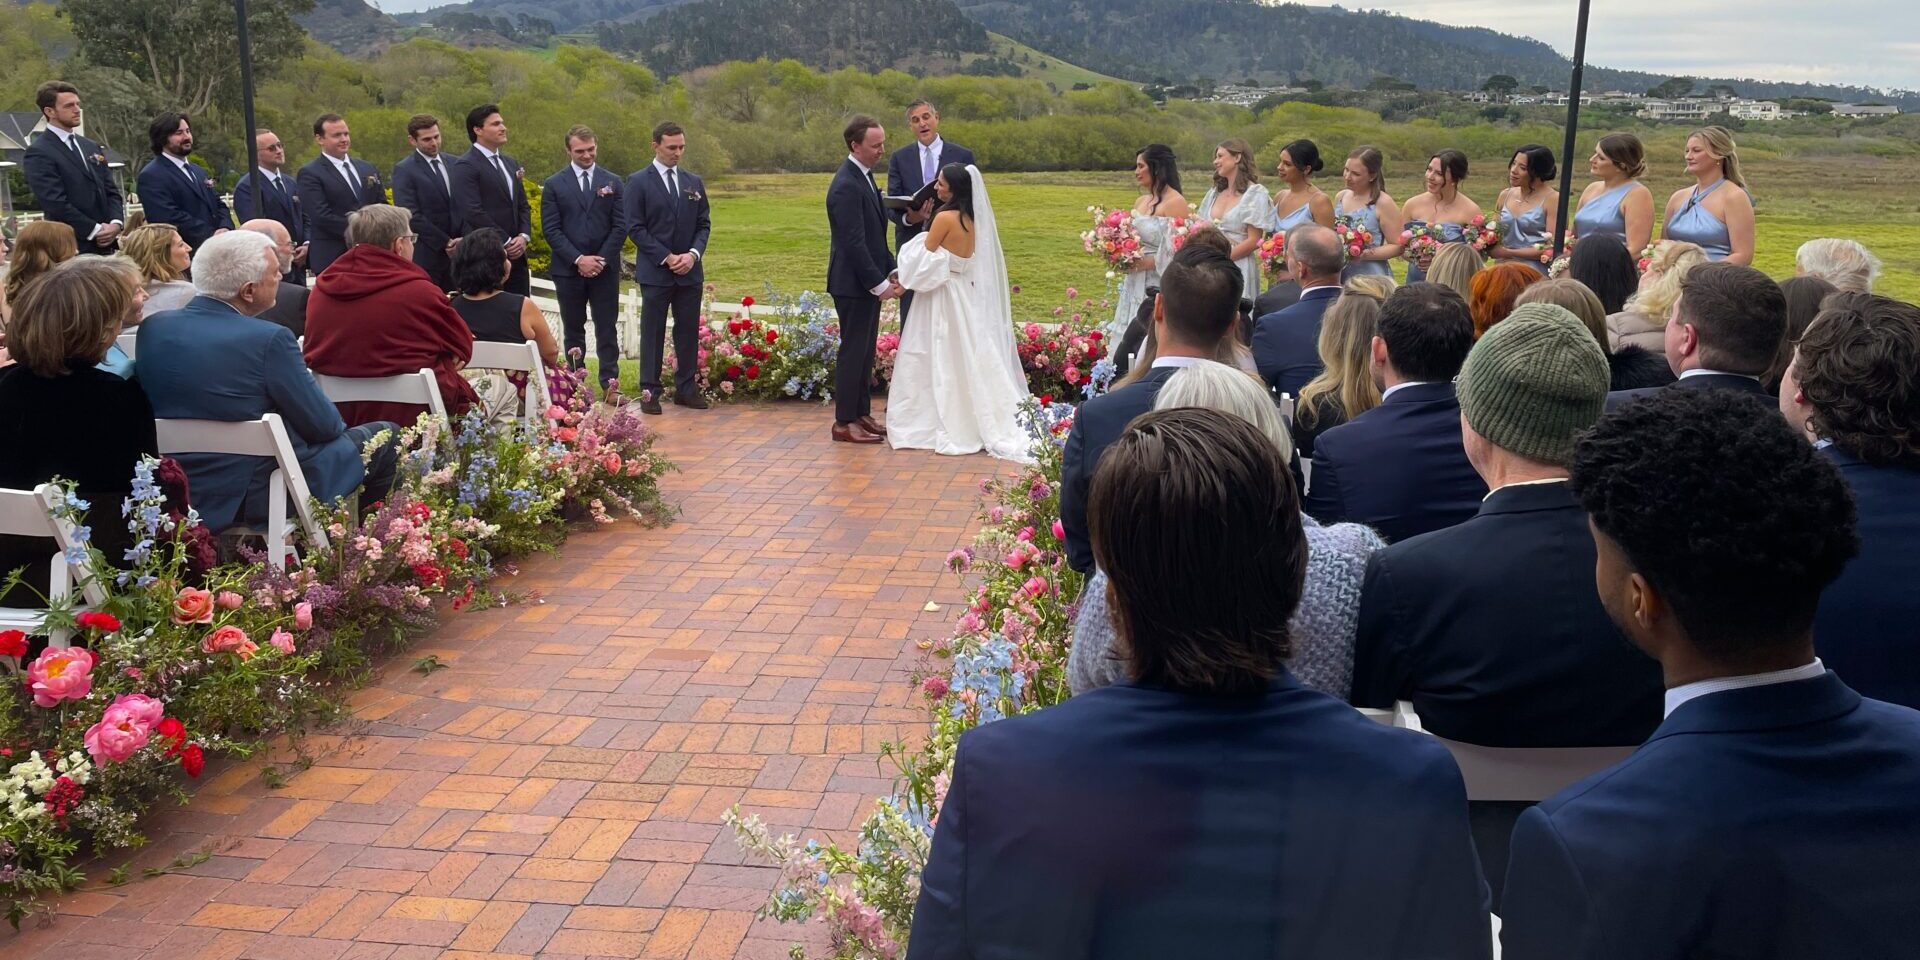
(1007, 658)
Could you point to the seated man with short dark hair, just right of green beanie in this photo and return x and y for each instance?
(1725, 331)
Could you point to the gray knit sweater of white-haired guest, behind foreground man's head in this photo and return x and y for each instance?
(1322, 629)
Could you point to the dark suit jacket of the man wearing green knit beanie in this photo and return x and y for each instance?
(1493, 629)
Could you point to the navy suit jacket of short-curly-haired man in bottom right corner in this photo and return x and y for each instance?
(1767, 823)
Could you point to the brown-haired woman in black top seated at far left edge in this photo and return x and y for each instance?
(62, 416)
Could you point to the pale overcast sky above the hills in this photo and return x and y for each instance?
(1871, 43)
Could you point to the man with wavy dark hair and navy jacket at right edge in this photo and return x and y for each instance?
(1856, 389)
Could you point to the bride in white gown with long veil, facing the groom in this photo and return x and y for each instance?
(957, 379)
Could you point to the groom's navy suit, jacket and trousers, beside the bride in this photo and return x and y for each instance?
(859, 262)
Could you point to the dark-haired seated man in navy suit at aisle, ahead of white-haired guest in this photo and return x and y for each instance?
(1193, 320)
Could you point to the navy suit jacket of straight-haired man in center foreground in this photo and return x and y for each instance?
(1136, 823)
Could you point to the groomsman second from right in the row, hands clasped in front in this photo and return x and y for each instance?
(583, 214)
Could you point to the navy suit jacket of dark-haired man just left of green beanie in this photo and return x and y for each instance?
(1399, 468)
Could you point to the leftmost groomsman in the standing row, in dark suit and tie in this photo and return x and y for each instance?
(70, 174)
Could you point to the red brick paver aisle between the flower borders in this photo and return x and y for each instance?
(558, 792)
